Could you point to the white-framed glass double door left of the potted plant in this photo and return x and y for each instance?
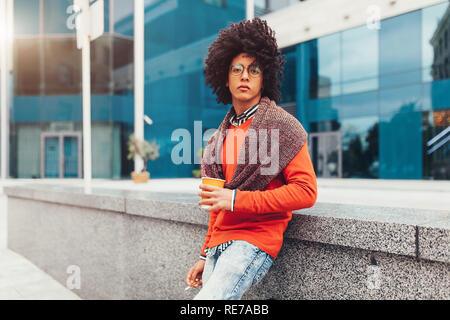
(61, 155)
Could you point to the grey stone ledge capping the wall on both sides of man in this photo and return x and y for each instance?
(422, 234)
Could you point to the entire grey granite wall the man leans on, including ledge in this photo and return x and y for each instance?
(140, 245)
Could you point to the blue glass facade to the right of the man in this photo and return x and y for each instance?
(385, 92)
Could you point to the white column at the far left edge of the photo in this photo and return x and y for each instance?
(4, 81)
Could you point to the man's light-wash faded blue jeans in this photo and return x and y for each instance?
(227, 276)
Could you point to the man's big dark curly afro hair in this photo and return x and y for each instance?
(255, 38)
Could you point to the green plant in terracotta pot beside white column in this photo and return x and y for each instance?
(146, 151)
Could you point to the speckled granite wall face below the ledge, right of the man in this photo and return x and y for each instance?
(307, 270)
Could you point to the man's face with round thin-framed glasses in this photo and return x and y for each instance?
(245, 79)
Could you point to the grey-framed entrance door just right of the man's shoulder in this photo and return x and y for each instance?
(325, 149)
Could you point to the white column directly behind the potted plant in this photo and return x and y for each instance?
(139, 75)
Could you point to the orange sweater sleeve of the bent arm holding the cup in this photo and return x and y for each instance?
(299, 192)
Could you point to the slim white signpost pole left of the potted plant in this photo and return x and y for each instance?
(86, 93)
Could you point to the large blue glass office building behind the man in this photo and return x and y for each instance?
(374, 100)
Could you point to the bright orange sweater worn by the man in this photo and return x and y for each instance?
(261, 217)
